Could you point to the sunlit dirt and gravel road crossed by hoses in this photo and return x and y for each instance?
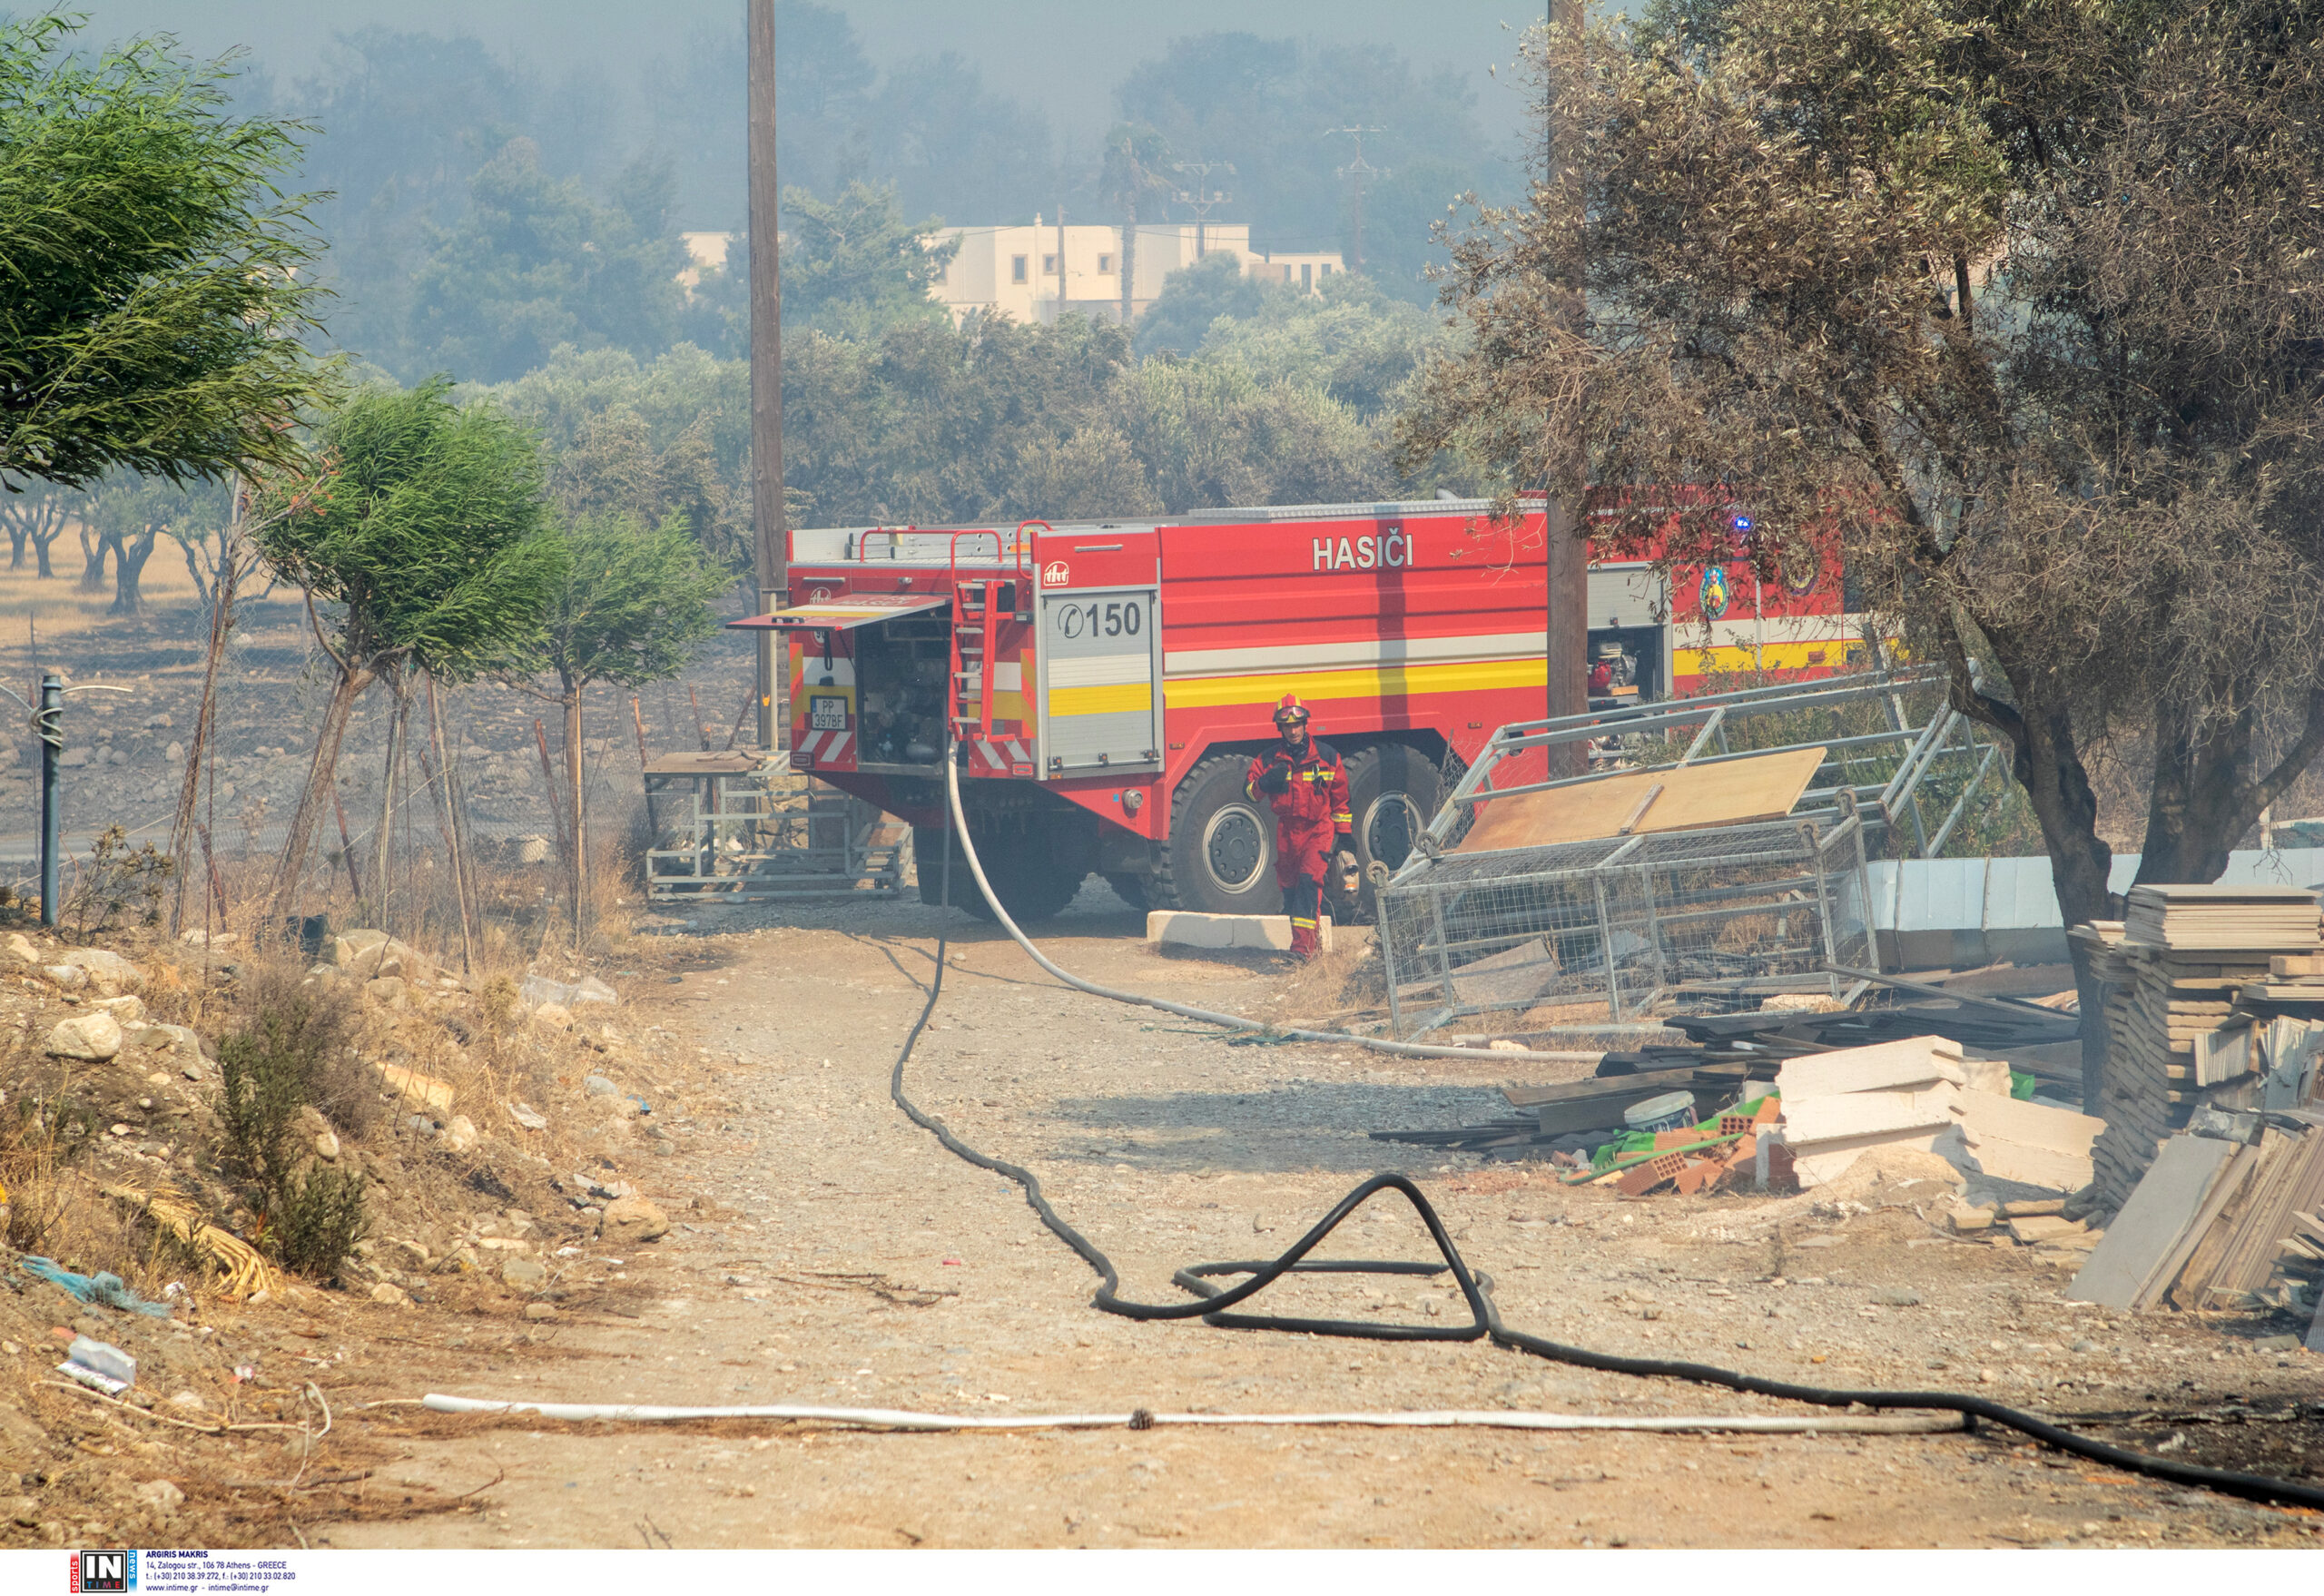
(826, 1251)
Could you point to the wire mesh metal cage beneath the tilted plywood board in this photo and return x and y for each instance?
(1628, 926)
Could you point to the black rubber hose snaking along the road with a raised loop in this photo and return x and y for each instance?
(1486, 1318)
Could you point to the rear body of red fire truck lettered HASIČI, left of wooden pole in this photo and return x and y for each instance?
(1107, 684)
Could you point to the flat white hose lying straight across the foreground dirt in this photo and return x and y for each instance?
(1442, 1418)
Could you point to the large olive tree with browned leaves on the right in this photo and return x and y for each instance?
(2018, 301)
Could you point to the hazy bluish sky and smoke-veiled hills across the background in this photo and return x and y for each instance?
(517, 175)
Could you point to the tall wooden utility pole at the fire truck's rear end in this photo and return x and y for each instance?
(766, 371)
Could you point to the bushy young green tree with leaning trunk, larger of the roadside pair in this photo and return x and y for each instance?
(422, 529)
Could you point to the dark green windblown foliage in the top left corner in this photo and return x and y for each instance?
(155, 282)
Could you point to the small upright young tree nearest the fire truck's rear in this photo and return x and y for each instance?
(629, 608)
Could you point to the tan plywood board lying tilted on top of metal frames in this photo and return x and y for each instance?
(1693, 796)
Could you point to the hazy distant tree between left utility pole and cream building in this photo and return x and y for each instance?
(854, 266)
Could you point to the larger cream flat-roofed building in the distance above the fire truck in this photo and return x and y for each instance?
(1017, 271)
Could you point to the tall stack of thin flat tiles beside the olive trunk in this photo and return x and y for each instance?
(2172, 977)
